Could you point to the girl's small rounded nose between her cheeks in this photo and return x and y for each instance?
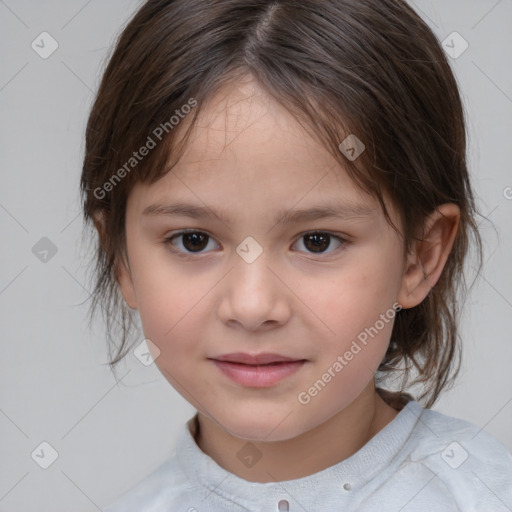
(254, 297)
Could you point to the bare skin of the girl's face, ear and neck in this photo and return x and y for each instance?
(249, 158)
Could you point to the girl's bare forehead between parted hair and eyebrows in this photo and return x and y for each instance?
(246, 152)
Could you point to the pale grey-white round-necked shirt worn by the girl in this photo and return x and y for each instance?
(422, 461)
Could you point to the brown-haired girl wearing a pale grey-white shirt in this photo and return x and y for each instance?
(281, 193)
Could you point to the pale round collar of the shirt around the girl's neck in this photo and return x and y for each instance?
(381, 453)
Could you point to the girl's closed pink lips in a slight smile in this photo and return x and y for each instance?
(257, 371)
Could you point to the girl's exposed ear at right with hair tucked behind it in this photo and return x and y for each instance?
(427, 257)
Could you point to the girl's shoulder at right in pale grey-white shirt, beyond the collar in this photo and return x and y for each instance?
(473, 466)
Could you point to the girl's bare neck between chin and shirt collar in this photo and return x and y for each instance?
(347, 432)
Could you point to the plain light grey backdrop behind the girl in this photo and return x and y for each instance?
(54, 384)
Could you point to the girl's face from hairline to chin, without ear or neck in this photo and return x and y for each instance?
(250, 160)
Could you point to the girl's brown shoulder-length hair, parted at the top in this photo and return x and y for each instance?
(371, 68)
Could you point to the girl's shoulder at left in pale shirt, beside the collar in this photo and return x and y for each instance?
(159, 489)
